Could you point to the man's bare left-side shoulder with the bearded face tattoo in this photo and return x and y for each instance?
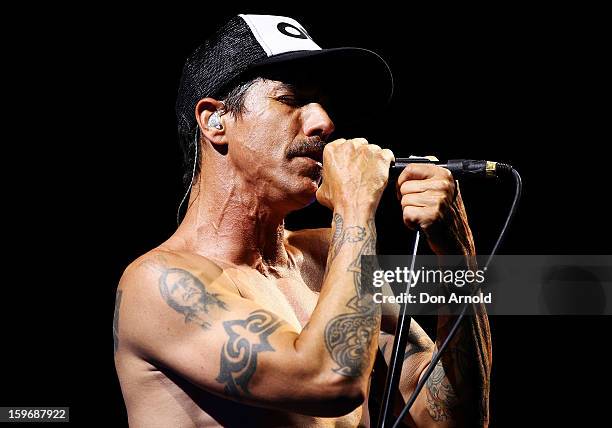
(161, 287)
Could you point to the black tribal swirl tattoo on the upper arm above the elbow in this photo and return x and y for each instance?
(246, 339)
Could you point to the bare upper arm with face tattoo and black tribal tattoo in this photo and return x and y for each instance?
(221, 342)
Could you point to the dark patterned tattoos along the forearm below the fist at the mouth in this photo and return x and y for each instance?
(348, 336)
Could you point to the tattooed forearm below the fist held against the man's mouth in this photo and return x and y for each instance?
(342, 333)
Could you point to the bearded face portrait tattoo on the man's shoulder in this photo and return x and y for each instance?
(187, 295)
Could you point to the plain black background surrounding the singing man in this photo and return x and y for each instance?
(97, 175)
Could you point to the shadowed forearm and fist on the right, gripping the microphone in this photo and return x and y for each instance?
(456, 393)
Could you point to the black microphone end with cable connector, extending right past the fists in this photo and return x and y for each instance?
(460, 168)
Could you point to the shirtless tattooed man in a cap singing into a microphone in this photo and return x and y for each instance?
(236, 321)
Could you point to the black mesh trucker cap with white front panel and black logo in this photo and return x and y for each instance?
(251, 44)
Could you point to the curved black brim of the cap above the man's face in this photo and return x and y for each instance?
(351, 75)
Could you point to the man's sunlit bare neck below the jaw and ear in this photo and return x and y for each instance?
(229, 220)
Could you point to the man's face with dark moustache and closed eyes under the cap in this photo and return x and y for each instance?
(277, 144)
